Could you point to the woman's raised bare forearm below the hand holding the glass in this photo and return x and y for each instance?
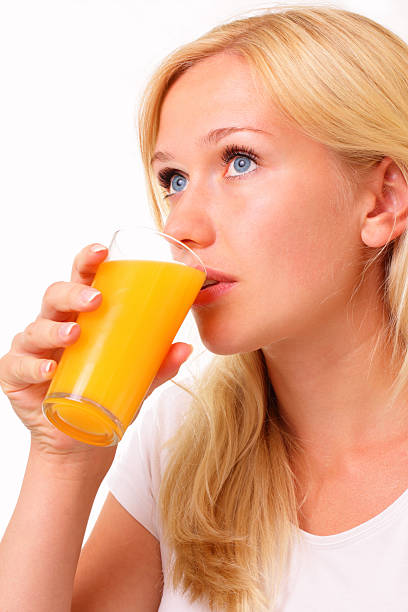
(40, 549)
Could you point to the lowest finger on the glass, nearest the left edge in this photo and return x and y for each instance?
(19, 371)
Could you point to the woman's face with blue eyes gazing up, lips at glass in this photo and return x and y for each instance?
(255, 199)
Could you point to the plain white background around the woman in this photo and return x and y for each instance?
(71, 74)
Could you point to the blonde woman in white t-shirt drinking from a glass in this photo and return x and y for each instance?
(276, 147)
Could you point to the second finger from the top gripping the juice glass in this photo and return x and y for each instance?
(62, 301)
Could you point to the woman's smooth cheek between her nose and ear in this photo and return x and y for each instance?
(299, 246)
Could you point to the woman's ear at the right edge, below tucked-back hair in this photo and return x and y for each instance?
(385, 218)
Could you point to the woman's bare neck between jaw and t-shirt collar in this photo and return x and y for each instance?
(333, 386)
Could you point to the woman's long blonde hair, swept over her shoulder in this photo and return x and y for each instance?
(227, 498)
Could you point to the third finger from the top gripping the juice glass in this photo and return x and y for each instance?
(43, 335)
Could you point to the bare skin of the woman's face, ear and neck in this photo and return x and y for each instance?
(297, 257)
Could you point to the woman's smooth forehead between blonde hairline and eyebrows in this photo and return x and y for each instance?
(226, 91)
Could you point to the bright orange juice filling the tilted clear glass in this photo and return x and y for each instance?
(101, 380)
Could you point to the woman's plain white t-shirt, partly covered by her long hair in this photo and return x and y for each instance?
(364, 569)
